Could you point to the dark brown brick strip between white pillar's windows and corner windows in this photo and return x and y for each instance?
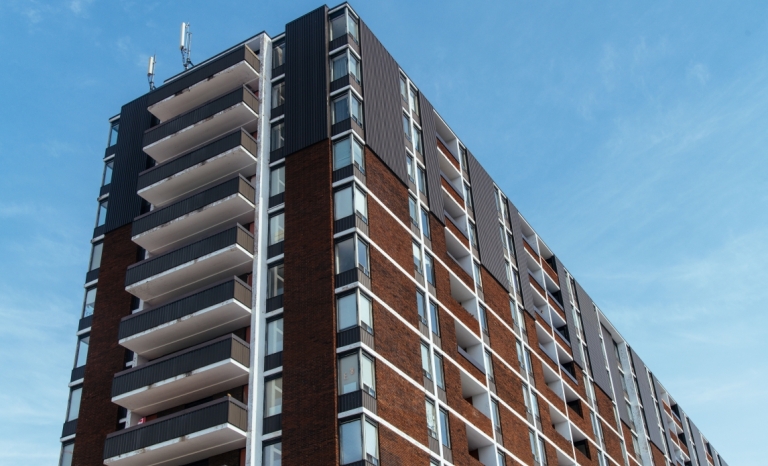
(309, 348)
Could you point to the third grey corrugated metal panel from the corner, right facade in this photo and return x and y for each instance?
(487, 221)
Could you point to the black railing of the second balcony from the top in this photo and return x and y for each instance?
(202, 112)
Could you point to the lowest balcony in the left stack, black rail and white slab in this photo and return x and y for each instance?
(185, 437)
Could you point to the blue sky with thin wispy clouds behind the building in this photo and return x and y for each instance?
(631, 135)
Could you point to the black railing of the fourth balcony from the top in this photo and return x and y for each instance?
(235, 185)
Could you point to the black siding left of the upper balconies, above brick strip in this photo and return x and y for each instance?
(130, 160)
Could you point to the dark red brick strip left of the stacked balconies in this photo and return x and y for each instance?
(98, 415)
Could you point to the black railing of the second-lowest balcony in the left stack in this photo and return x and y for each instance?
(188, 360)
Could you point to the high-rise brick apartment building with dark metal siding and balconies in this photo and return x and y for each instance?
(296, 261)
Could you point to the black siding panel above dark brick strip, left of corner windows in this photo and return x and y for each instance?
(306, 80)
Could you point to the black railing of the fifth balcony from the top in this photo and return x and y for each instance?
(155, 265)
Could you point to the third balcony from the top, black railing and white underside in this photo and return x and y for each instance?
(176, 178)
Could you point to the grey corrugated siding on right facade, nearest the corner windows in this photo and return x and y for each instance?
(382, 108)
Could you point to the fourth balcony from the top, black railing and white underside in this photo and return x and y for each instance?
(227, 204)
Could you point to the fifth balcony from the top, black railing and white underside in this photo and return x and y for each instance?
(193, 266)
